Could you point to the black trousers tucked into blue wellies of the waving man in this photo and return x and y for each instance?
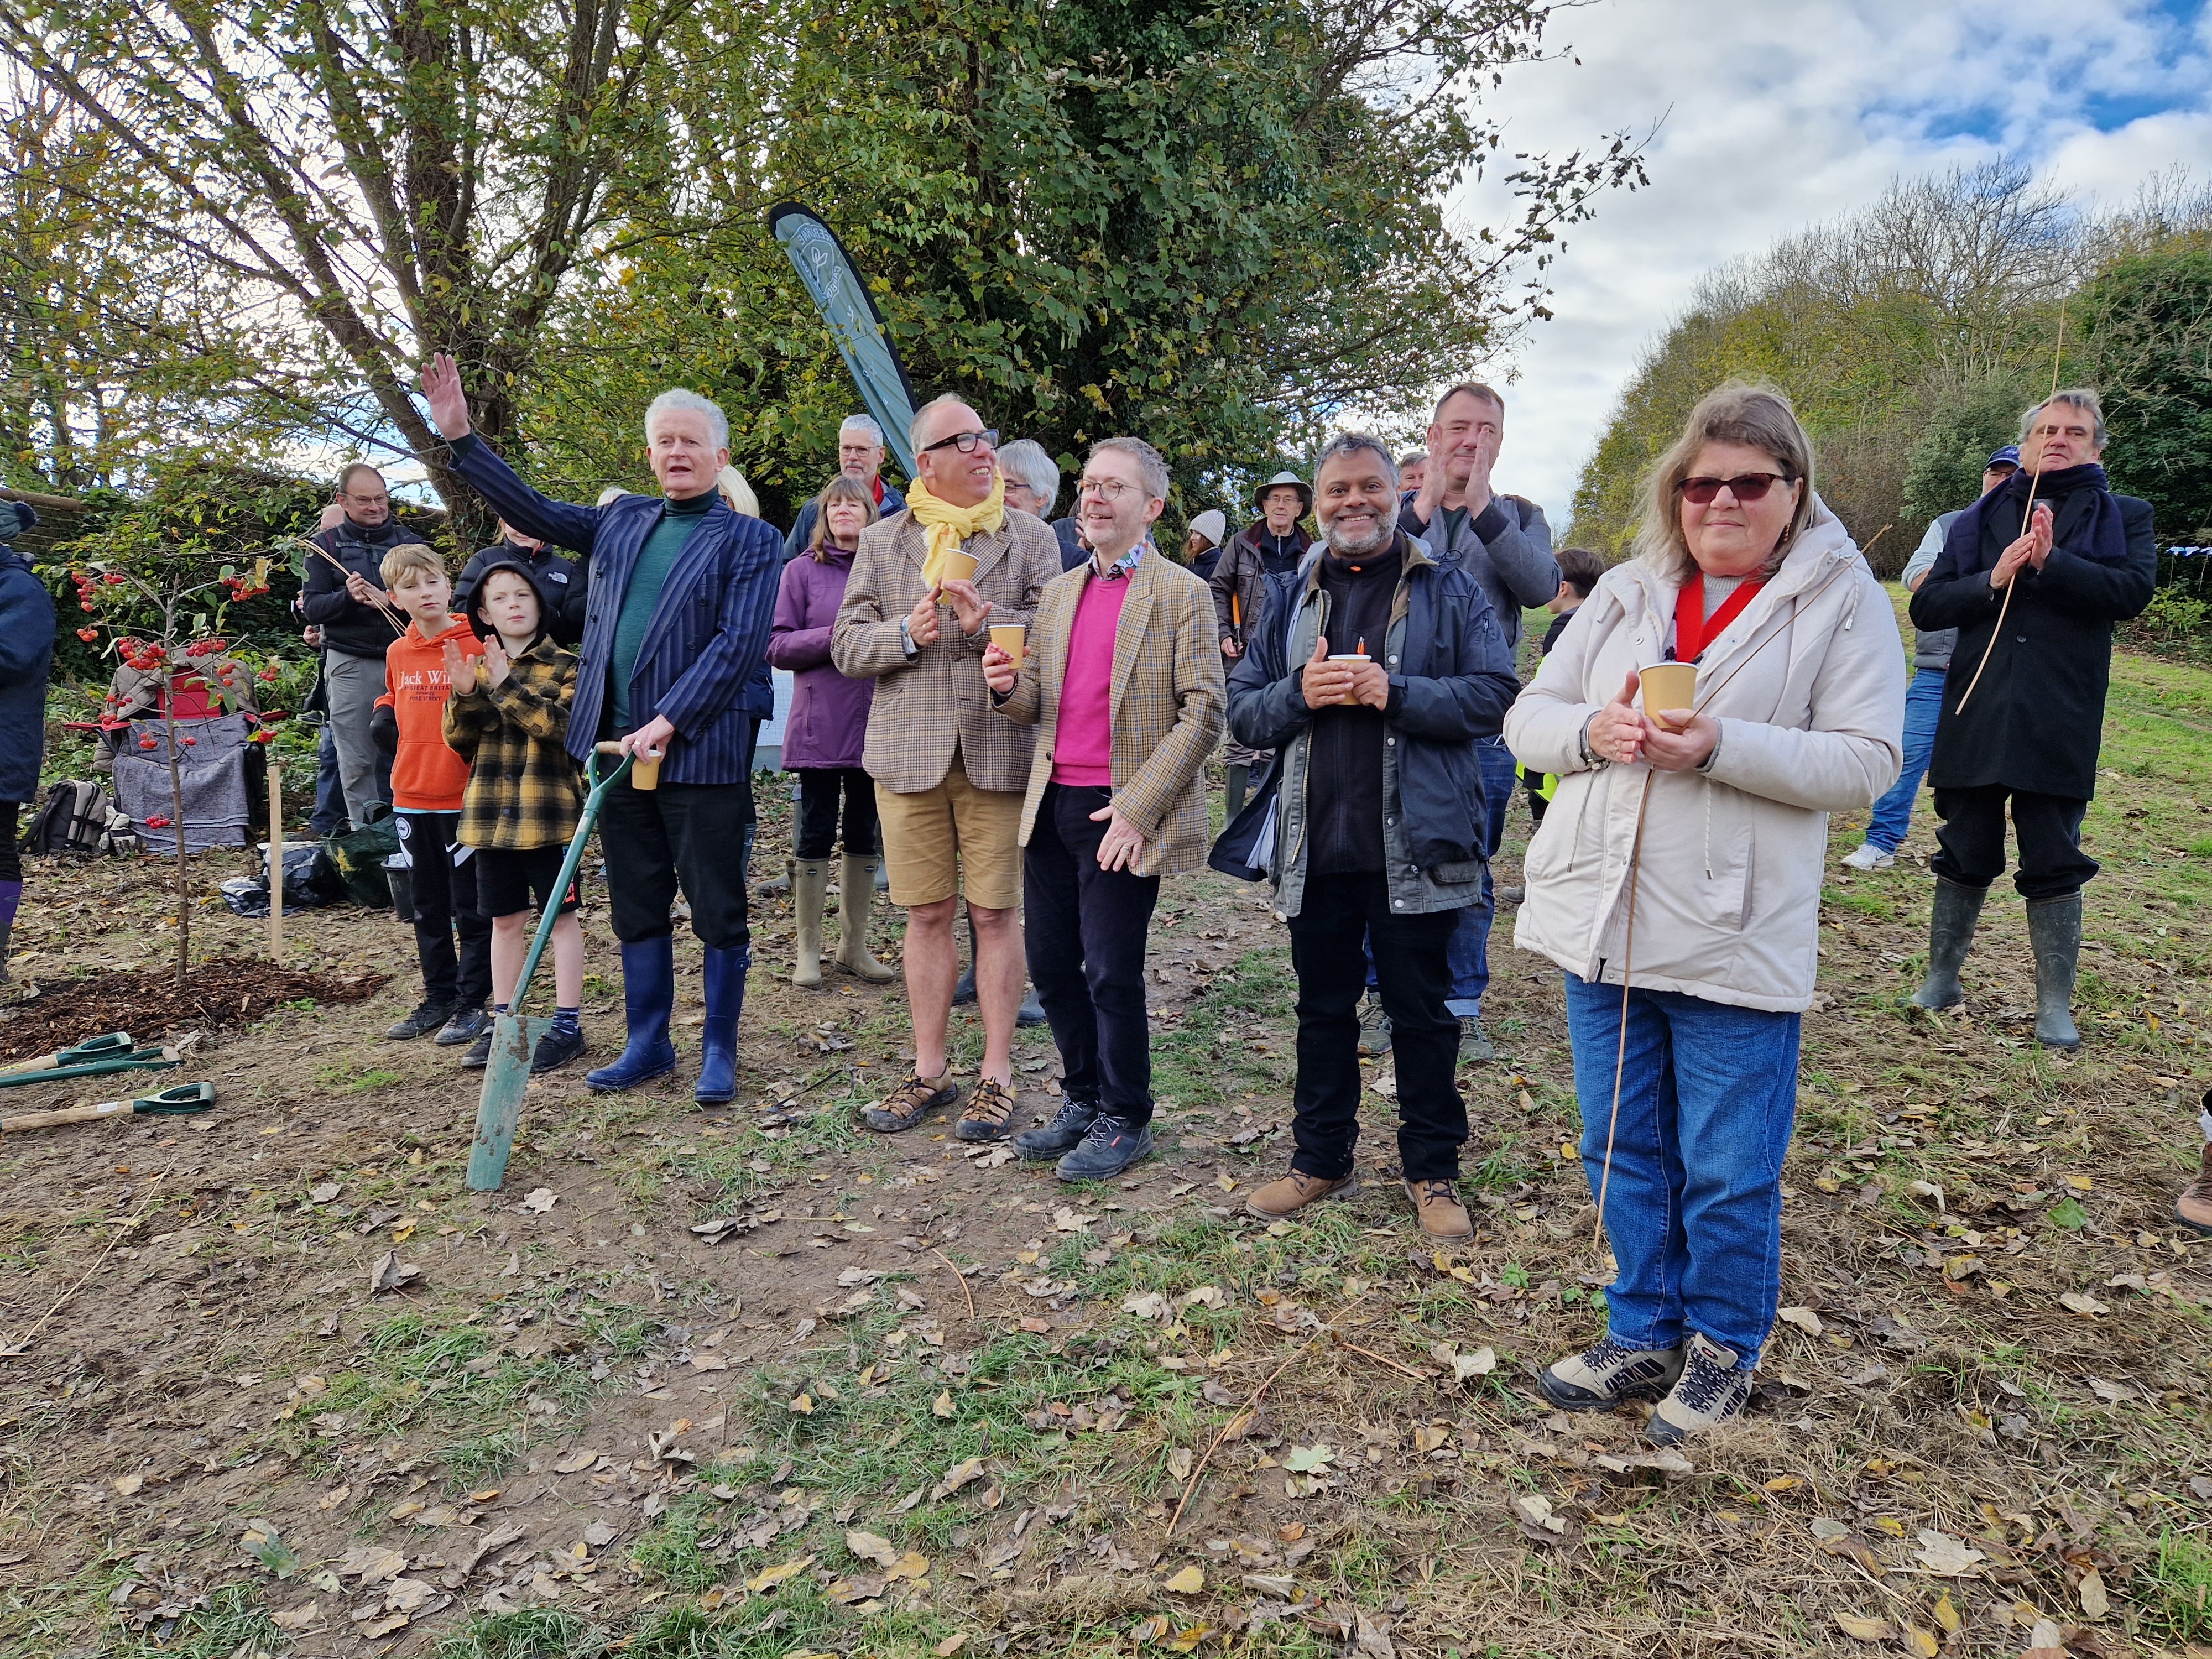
(680, 833)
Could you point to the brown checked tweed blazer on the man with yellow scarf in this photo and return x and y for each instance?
(935, 705)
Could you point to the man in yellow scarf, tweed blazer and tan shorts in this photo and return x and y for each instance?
(926, 592)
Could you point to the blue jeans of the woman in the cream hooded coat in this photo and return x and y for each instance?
(1695, 1202)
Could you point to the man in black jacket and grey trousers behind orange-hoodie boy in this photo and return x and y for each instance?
(342, 603)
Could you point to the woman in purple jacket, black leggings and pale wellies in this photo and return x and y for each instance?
(824, 738)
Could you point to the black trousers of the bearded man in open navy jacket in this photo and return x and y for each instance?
(1415, 977)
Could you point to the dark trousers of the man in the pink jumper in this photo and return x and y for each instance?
(1085, 930)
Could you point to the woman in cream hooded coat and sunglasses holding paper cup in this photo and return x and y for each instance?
(1678, 881)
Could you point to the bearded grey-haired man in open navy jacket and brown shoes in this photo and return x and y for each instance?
(1377, 669)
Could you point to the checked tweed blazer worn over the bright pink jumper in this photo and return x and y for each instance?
(1167, 705)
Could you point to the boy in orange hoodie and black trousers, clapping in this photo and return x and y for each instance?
(428, 784)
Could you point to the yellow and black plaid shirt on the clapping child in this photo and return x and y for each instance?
(523, 786)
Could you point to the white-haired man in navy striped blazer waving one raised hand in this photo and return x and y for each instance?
(678, 598)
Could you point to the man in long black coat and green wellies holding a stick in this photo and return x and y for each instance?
(2025, 705)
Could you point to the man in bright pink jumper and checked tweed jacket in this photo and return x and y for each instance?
(1123, 678)
